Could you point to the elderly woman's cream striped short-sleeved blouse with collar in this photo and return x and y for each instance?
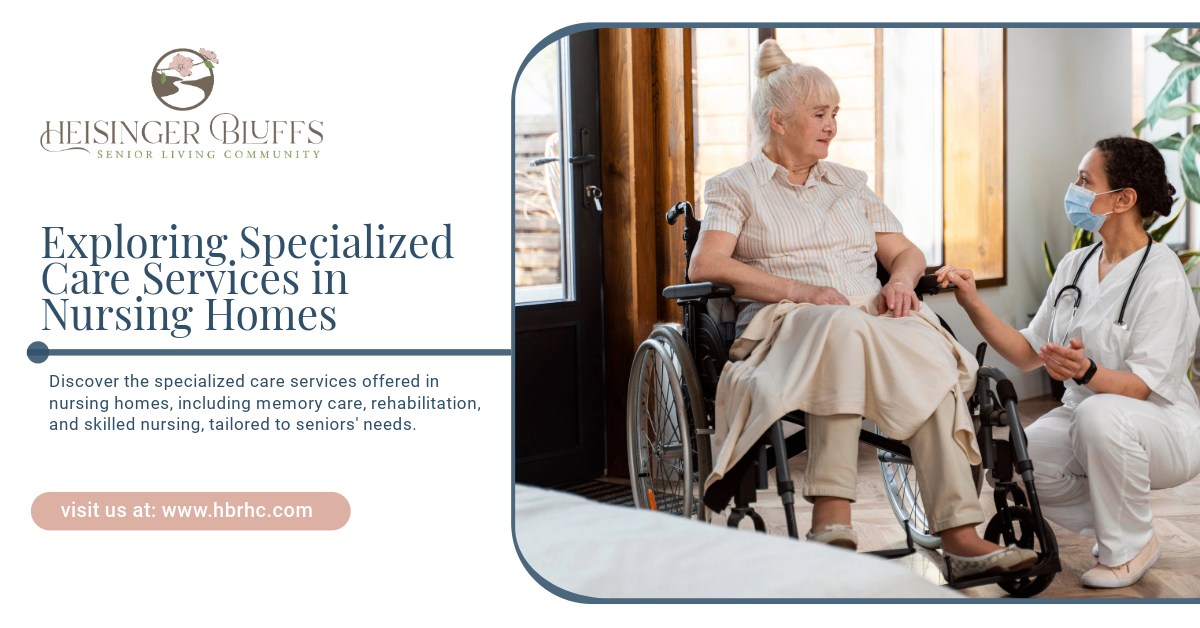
(821, 234)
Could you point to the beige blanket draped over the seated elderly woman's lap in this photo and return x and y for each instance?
(833, 360)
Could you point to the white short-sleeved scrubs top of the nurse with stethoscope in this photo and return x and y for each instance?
(1162, 322)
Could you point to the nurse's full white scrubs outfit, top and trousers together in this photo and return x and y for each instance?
(1097, 458)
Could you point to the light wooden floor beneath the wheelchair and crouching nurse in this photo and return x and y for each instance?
(1177, 523)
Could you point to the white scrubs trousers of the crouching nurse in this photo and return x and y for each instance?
(1096, 464)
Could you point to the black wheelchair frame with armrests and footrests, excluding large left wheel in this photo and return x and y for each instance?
(1021, 523)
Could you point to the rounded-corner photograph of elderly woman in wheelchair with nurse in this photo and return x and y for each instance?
(831, 312)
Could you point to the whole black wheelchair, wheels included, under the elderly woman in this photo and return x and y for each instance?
(670, 414)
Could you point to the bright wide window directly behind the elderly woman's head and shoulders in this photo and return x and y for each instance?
(890, 123)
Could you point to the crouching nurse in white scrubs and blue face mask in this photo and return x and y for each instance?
(1119, 327)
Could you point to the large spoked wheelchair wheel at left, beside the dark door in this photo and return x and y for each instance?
(659, 434)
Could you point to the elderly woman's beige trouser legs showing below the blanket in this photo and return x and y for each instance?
(943, 470)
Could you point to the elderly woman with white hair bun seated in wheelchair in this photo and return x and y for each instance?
(789, 226)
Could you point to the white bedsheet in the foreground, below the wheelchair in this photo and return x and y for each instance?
(613, 552)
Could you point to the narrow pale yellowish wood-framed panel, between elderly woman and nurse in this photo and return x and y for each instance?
(974, 145)
